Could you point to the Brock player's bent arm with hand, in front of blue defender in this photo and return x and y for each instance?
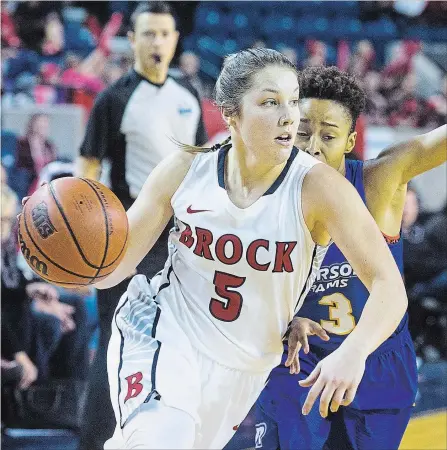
(331, 203)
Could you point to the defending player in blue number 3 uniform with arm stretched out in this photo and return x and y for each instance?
(331, 102)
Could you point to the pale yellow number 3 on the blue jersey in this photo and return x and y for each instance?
(341, 321)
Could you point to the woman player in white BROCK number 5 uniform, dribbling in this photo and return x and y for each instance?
(191, 349)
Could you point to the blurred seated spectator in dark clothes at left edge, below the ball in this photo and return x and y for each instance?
(43, 331)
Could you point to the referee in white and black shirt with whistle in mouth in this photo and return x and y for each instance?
(130, 130)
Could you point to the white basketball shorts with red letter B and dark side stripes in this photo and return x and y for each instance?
(150, 359)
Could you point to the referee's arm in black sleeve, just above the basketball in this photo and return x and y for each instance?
(97, 141)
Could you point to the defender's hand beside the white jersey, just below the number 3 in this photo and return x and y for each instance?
(300, 328)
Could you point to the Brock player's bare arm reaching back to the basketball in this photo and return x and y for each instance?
(149, 214)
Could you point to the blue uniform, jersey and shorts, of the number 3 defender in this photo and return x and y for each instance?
(382, 406)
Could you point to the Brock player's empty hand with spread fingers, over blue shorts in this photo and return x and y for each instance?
(336, 378)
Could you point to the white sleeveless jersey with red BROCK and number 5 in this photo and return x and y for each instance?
(236, 277)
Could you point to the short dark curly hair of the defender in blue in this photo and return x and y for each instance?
(330, 83)
